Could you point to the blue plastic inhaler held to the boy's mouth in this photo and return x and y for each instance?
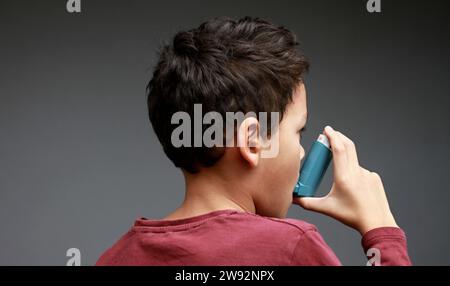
(313, 168)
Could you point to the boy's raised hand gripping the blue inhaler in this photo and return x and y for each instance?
(357, 196)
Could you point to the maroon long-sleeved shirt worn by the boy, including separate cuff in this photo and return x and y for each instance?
(229, 237)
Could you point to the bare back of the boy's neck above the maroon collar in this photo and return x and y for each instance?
(206, 193)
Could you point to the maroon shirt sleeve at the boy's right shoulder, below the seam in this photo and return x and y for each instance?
(312, 250)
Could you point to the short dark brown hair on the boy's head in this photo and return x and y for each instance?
(227, 66)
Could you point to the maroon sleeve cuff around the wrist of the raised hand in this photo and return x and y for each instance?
(386, 246)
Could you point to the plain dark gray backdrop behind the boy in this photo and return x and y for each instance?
(79, 160)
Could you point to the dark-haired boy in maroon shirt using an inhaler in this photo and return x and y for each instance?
(236, 200)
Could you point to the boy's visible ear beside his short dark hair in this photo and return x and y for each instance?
(248, 141)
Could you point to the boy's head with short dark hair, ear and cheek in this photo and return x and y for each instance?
(248, 65)
